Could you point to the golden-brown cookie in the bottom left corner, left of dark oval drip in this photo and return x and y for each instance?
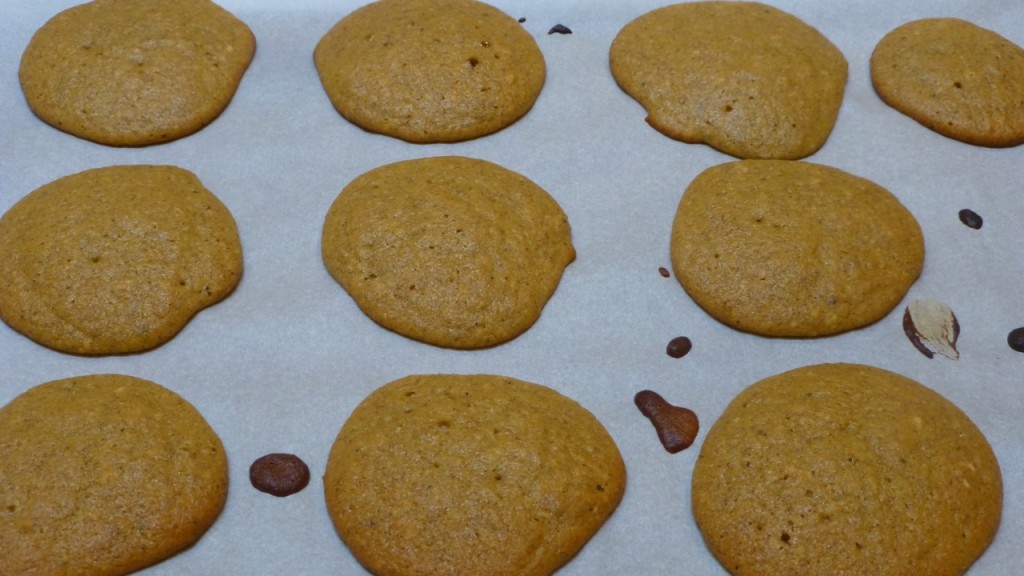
(105, 475)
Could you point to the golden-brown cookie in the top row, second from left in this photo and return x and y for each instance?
(431, 71)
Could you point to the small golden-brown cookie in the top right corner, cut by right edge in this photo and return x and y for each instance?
(955, 77)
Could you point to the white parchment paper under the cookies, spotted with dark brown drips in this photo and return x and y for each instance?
(280, 365)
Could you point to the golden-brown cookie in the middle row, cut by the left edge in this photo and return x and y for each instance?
(116, 260)
